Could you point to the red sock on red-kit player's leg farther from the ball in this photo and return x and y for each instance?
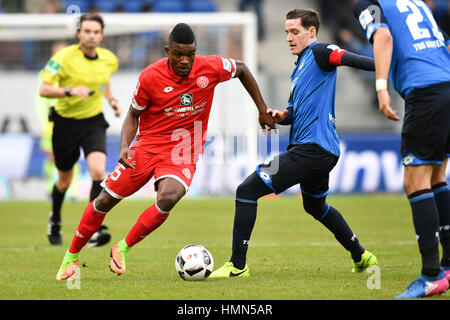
(89, 224)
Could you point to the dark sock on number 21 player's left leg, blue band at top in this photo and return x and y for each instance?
(425, 219)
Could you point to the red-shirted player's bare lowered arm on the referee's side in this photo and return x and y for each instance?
(129, 129)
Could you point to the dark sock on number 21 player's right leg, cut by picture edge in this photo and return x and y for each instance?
(442, 197)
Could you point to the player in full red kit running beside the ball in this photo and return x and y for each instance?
(170, 106)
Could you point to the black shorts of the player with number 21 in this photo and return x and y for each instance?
(426, 127)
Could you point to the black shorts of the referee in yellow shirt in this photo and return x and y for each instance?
(69, 135)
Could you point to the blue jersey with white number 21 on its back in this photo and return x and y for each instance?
(420, 57)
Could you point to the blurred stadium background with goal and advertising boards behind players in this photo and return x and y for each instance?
(370, 160)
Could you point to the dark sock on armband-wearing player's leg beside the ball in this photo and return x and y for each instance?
(244, 221)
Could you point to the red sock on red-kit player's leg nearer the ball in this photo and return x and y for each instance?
(147, 222)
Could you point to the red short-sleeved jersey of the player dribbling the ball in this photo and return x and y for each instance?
(176, 109)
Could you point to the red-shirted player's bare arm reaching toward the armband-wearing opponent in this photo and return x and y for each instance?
(250, 84)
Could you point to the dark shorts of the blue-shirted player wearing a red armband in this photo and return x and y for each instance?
(306, 164)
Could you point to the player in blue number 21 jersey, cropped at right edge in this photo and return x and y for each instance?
(410, 48)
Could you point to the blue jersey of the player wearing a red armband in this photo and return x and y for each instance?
(313, 86)
